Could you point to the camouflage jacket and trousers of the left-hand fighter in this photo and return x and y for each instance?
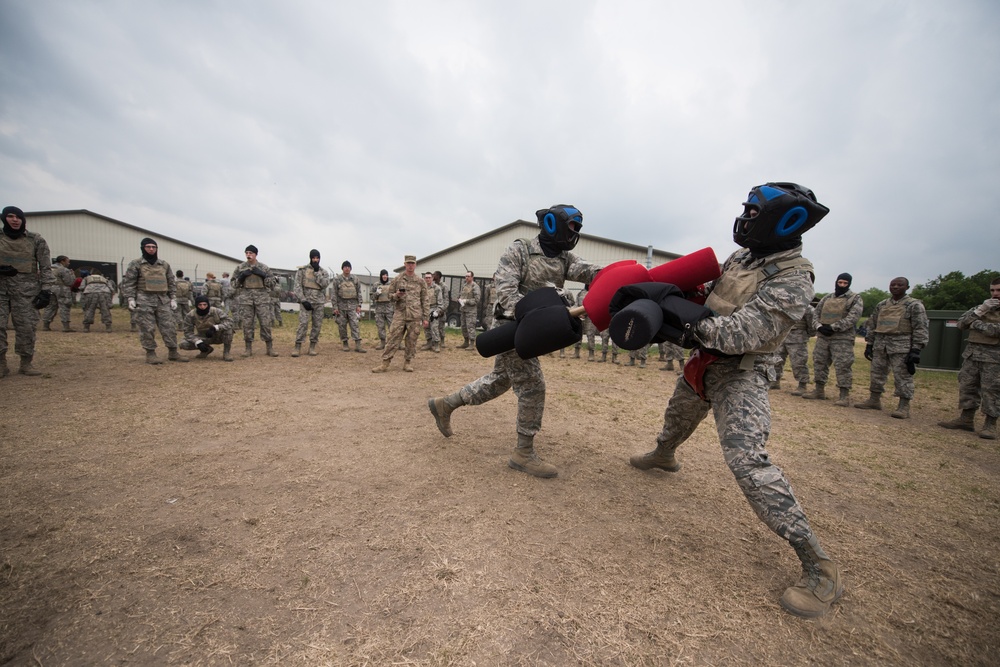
(524, 268)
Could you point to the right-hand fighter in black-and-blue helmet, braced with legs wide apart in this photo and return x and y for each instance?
(763, 290)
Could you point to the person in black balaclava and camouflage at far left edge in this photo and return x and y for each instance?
(26, 282)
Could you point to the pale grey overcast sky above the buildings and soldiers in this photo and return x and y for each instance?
(373, 129)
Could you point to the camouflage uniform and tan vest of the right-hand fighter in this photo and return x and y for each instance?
(756, 312)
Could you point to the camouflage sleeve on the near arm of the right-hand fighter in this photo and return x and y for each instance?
(768, 315)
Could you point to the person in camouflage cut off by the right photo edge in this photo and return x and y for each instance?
(979, 379)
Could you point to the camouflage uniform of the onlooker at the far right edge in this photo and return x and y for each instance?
(979, 378)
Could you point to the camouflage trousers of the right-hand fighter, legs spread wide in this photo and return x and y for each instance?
(742, 413)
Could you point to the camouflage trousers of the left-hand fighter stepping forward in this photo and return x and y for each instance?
(525, 375)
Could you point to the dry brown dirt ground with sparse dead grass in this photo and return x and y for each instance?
(307, 512)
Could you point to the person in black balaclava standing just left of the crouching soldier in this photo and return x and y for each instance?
(150, 287)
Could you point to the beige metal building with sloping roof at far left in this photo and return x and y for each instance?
(93, 240)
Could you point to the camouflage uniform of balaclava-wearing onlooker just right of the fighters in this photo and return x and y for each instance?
(842, 314)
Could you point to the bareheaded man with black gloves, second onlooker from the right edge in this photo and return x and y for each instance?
(897, 330)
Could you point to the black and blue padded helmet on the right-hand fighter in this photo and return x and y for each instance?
(784, 211)
